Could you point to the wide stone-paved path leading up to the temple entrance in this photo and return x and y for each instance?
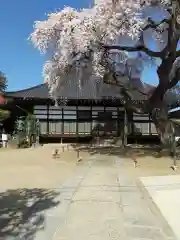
(102, 201)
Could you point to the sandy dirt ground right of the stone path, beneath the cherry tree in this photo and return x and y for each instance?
(149, 161)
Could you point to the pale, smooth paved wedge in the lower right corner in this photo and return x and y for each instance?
(165, 192)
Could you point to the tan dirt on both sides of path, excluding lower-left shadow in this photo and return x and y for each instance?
(35, 168)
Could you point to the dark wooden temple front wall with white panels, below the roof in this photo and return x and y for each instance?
(108, 120)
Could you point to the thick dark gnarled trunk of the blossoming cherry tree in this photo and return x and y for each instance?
(155, 104)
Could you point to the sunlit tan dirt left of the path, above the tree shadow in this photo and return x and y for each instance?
(35, 168)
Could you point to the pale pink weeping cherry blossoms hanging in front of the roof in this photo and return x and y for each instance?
(70, 34)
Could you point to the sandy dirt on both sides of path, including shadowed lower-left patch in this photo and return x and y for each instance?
(30, 178)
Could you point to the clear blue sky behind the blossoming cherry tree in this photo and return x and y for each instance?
(21, 63)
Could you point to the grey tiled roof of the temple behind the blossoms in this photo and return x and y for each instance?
(72, 91)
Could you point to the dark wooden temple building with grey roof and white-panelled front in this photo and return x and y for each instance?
(82, 116)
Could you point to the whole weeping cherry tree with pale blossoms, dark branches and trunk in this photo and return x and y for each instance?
(89, 42)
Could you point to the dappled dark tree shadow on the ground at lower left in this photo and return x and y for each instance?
(21, 212)
